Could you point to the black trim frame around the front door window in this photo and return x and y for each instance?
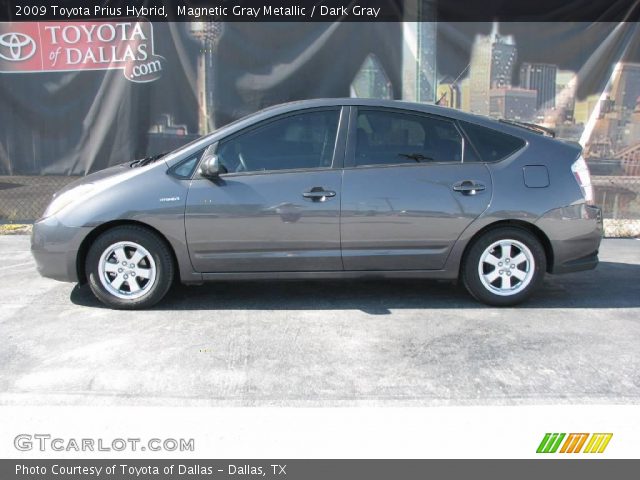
(339, 147)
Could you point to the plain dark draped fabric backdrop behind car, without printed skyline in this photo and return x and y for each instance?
(73, 123)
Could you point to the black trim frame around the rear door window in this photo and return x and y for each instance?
(350, 157)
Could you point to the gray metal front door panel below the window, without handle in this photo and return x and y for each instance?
(262, 222)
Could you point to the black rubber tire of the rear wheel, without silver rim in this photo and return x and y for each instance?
(470, 275)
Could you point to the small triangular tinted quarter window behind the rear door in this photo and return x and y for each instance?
(490, 144)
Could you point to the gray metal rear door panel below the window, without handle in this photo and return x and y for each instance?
(407, 217)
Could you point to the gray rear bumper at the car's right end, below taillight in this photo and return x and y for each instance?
(575, 233)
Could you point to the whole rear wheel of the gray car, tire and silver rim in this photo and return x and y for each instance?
(490, 273)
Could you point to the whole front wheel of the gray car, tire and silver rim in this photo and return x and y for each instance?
(129, 267)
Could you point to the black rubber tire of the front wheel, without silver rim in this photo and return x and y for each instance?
(154, 245)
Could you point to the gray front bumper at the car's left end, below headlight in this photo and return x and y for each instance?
(55, 246)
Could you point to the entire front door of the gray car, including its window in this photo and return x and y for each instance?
(278, 207)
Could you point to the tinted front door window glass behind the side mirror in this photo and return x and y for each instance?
(305, 140)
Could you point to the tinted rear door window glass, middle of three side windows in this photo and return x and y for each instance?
(385, 137)
